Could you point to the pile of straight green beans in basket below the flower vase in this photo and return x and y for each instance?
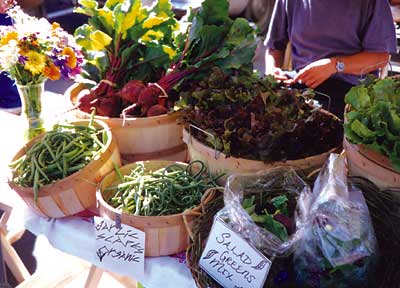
(61, 152)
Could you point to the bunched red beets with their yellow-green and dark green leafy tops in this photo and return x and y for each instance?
(148, 56)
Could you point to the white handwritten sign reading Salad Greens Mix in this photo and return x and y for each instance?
(231, 261)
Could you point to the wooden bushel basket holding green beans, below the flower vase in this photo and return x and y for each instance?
(76, 192)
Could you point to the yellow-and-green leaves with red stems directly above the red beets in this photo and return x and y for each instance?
(124, 40)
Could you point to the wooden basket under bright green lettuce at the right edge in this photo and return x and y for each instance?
(371, 165)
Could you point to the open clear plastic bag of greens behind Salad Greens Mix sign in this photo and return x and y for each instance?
(265, 188)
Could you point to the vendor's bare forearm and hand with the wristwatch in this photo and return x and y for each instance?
(357, 64)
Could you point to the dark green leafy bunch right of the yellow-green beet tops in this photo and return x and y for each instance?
(214, 39)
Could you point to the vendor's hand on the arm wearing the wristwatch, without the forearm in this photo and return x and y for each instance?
(316, 72)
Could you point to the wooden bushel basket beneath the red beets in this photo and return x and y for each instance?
(158, 137)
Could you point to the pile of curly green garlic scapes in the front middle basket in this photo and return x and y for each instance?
(167, 191)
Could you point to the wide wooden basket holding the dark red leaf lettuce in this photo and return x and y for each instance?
(218, 163)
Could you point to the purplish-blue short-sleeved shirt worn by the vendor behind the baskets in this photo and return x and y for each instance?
(326, 28)
